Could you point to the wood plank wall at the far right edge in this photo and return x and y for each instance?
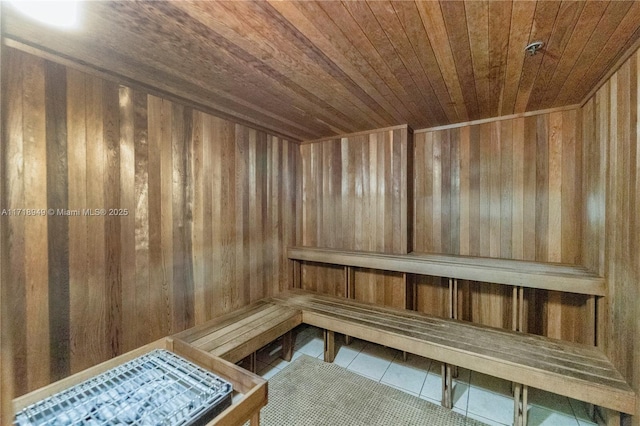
(612, 202)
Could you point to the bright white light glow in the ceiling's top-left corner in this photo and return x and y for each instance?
(63, 14)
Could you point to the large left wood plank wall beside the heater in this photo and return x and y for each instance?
(198, 213)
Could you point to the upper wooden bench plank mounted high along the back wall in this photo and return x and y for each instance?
(548, 276)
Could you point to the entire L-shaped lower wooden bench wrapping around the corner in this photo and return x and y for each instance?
(578, 371)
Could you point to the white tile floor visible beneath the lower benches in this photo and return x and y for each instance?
(475, 395)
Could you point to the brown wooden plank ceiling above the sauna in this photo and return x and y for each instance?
(314, 69)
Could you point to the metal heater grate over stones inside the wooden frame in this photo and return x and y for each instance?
(158, 388)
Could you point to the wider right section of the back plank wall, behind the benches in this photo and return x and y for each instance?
(507, 189)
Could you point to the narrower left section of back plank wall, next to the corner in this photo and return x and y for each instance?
(354, 196)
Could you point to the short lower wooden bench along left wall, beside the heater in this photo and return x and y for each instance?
(241, 333)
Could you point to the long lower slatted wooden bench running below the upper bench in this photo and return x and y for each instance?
(573, 370)
